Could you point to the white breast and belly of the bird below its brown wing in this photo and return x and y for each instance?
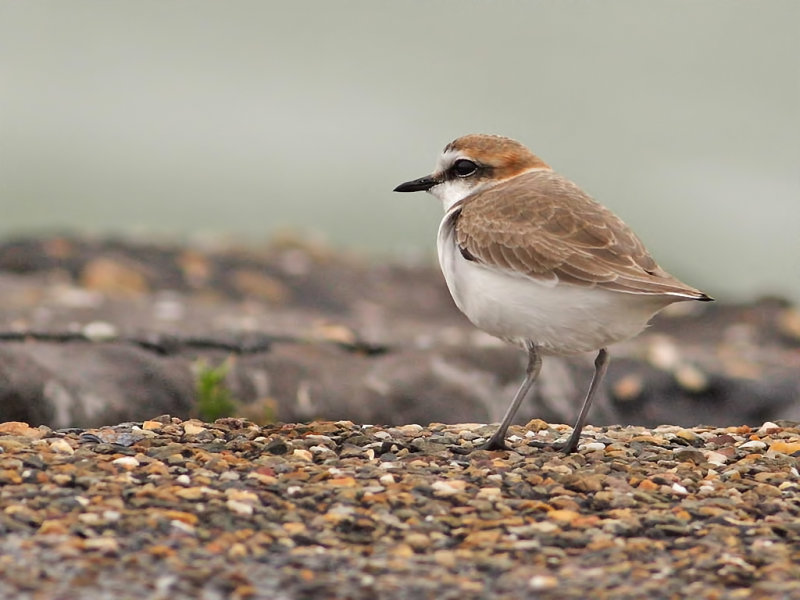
(559, 319)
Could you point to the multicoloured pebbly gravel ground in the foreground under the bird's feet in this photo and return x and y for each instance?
(184, 509)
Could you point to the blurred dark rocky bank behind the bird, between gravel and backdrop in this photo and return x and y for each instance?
(101, 331)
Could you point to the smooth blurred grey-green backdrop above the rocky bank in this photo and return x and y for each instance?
(243, 118)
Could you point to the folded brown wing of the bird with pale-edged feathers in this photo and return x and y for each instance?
(544, 226)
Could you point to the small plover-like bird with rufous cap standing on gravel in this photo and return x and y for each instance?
(532, 259)
